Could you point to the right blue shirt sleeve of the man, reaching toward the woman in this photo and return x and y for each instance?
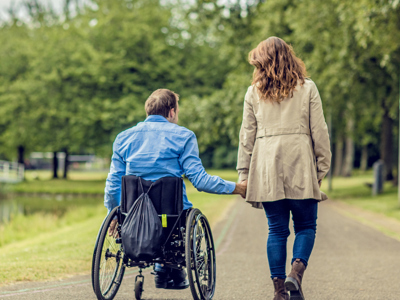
(194, 171)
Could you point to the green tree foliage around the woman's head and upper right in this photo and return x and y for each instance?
(351, 53)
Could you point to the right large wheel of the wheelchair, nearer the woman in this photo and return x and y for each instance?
(200, 256)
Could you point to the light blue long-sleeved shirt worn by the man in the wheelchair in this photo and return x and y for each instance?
(158, 148)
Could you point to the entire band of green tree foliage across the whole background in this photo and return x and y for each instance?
(74, 81)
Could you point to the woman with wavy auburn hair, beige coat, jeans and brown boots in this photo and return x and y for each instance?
(284, 153)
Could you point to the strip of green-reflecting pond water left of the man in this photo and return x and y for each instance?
(50, 204)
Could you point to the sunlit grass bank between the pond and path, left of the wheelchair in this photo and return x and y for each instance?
(52, 254)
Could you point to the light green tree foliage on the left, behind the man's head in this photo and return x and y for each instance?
(75, 83)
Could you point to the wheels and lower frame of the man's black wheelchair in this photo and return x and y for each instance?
(189, 244)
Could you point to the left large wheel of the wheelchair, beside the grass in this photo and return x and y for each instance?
(108, 268)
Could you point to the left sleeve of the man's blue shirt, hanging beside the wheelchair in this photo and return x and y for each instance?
(112, 192)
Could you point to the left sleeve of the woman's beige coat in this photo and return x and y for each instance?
(247, 137)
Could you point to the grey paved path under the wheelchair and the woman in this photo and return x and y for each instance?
(350, 261)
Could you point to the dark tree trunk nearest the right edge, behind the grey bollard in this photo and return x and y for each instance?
(387, 144)
